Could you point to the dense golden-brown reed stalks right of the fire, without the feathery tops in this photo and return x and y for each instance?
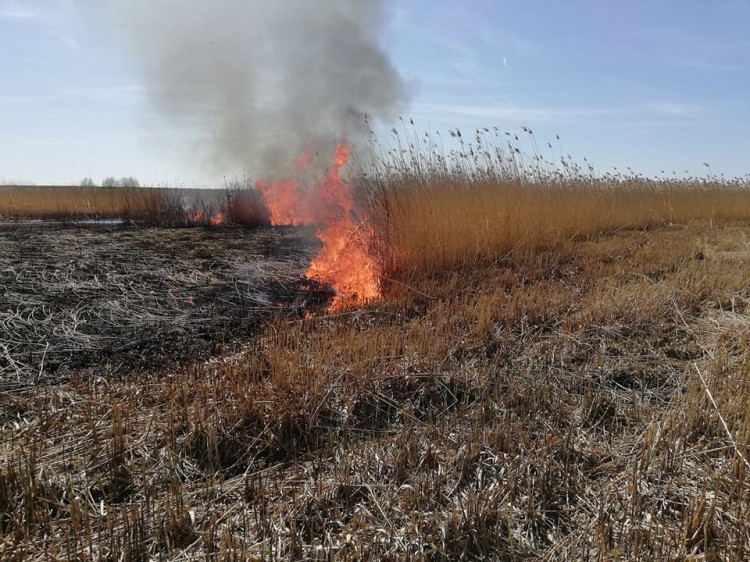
(442, 224)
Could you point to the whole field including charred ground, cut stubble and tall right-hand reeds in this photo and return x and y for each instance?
(555, 371)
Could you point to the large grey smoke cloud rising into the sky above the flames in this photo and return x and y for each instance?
(263, 80)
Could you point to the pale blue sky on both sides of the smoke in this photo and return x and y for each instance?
(653, 85)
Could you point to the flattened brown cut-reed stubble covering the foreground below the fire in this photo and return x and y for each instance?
(589, 402)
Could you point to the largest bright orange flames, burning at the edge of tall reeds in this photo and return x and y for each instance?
(345, 261)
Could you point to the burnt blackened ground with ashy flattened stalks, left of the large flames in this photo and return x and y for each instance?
(113, 300)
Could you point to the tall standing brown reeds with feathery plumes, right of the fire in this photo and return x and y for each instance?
(434, 210)
